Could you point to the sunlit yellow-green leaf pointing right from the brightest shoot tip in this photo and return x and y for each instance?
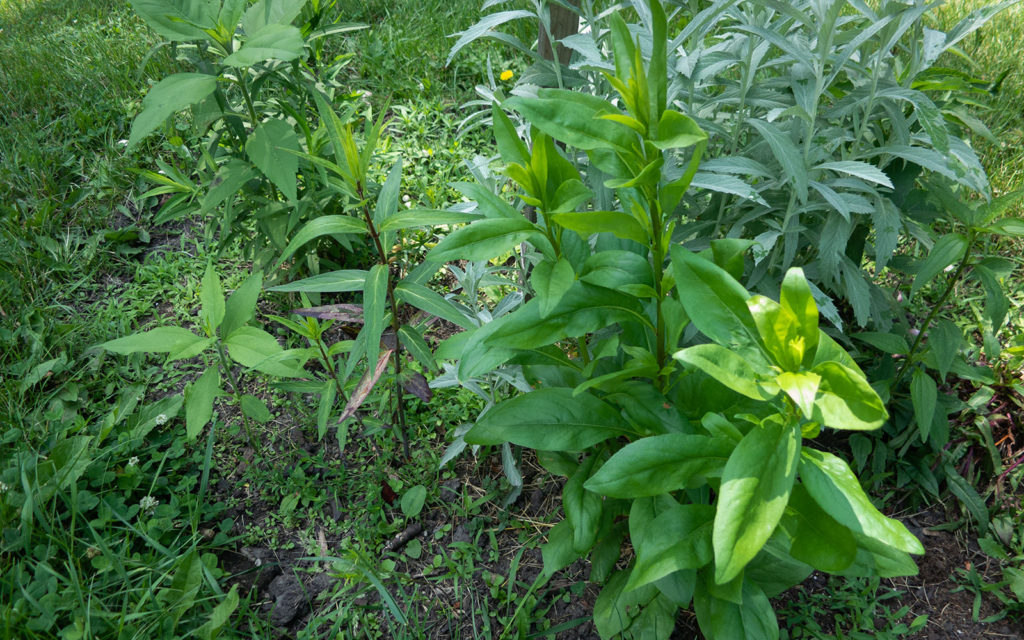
(846, 401)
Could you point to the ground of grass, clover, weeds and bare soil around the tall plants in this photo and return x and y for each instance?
(115, 526)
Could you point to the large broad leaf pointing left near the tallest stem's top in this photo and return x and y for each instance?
(574, 118)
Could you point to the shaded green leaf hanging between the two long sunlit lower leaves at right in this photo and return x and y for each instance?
(819, 540)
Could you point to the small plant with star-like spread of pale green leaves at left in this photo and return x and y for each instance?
(227, 337)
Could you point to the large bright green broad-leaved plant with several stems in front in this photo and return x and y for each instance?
(698, 454)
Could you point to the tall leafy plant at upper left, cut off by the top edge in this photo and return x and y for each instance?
(252, 100)
